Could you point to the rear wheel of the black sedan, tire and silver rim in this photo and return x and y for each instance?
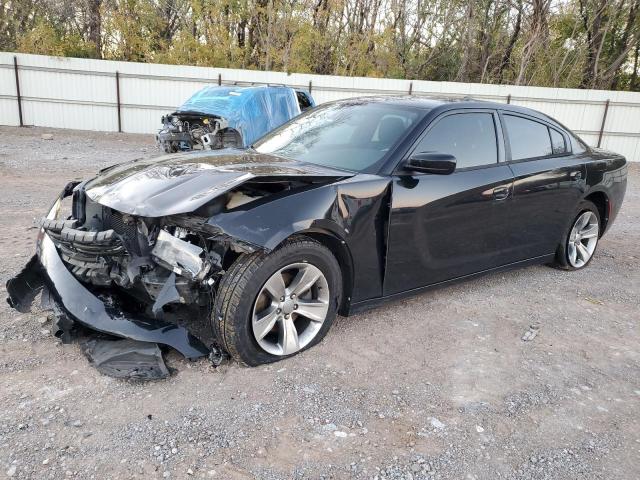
(581, 239)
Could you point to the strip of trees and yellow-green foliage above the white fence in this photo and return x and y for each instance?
(561, 43)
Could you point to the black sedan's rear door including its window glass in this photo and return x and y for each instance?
(549, 183)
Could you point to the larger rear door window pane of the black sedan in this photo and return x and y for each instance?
(527, 138)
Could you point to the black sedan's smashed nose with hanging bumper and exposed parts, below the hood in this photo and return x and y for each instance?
(117, 273)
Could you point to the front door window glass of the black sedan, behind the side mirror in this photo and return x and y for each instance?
(470, 137)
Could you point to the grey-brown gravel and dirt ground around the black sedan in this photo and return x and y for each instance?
(437, 386)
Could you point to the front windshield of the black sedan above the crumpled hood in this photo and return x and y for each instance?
(350, 135)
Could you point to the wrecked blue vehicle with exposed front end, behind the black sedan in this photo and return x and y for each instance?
(230, 117)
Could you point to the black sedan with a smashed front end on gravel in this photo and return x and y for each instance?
(347, 206)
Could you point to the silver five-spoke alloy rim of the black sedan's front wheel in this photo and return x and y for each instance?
(290, 309)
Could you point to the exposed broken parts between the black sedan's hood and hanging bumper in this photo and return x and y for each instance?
(149, 260)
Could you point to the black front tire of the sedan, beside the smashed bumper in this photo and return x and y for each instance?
(238, 294)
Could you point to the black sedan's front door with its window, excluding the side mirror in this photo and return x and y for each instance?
(447, 226)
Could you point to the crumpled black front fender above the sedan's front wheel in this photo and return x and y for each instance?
(354, 211)
